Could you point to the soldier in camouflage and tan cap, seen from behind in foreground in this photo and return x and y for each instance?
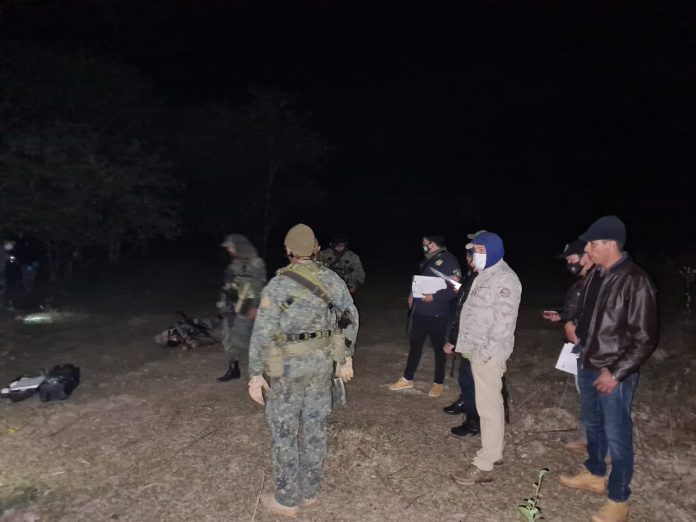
(295, 341)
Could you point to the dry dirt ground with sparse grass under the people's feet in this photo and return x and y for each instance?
(150, 435)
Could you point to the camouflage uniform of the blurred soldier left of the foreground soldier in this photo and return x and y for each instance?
(245, 278)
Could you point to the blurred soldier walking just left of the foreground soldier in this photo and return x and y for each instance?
(245, 278)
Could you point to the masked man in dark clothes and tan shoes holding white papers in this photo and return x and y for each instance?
(430, 315)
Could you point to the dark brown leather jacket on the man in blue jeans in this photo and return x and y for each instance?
(623, 326)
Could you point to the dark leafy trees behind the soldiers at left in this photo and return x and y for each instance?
(91, 161)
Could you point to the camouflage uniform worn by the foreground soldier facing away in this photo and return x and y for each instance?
(300, 396)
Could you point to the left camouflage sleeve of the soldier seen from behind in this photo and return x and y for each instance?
(267, 323)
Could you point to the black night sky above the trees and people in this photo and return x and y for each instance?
(528, 118)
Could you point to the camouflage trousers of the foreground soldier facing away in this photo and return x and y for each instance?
(296, 412)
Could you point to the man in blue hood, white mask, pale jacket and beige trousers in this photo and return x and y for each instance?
(486, 337)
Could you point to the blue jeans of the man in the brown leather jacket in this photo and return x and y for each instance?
(607, 420)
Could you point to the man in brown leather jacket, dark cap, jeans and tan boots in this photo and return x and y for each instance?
(617, 330)
